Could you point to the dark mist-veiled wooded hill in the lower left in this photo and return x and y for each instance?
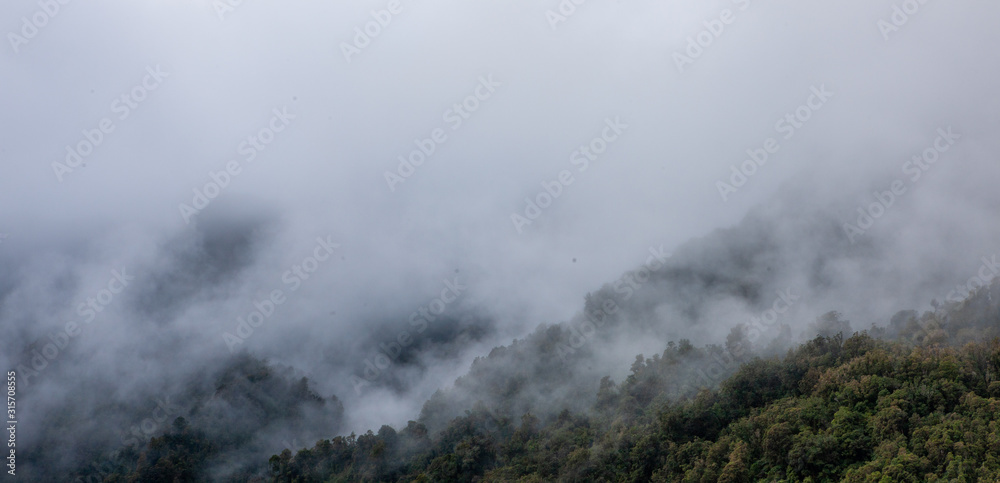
(246, 400)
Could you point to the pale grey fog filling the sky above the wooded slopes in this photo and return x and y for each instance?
(231, 149)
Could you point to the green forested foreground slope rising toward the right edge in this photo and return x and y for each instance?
(915, 400)
